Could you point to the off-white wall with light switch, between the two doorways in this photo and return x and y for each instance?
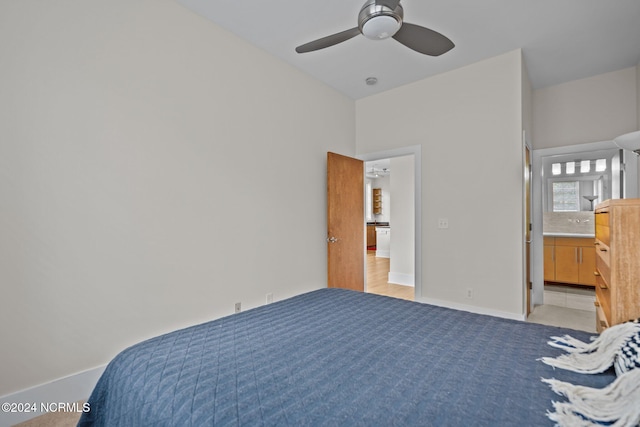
(469, 124)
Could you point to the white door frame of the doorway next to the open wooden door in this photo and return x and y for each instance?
(416, 152)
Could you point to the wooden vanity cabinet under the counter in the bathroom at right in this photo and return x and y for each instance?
(569, 260)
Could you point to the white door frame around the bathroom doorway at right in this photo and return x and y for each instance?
(537, 192)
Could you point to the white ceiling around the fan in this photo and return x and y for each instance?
(562, 40)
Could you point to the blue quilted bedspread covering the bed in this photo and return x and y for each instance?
(338, 358)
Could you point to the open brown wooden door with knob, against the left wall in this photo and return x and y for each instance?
(345, 222)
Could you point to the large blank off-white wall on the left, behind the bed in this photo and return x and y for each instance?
(134, 197)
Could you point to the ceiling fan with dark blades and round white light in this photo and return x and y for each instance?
(381, 19)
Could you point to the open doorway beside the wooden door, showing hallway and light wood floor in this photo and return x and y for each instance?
(392, 221)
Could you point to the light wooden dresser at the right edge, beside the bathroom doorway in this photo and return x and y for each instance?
(617, 262)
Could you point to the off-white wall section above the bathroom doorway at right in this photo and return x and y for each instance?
(594, 109)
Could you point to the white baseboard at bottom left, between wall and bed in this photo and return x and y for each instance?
(63, 390)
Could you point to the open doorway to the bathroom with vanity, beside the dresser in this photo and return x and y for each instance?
(567, 183)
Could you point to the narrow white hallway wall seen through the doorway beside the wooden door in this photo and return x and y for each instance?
(401, 264)
